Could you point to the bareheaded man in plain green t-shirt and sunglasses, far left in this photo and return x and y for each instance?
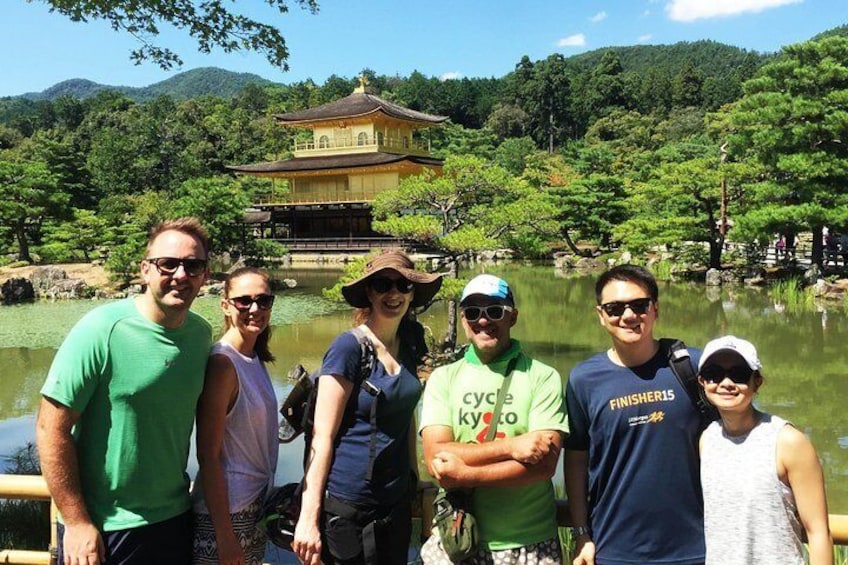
(117, 410)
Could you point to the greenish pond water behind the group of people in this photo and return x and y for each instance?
(803, 353)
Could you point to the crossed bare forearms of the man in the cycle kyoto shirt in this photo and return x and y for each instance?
(516, 461)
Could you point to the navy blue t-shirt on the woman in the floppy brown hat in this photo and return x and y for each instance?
(395, 406)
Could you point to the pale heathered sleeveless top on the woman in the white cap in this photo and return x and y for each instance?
(750, 516)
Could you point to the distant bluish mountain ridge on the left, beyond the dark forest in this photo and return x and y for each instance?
(189, 84)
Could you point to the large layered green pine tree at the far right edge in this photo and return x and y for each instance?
(793, 122)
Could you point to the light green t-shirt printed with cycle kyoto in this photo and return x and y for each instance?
(462, 395)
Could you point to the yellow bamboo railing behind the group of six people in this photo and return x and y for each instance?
(33, 487)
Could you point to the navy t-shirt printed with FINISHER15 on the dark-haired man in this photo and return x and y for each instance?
(641, 433)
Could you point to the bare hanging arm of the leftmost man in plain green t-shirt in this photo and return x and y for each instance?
(59, 464)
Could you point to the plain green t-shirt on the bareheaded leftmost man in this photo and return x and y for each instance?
(136, 385)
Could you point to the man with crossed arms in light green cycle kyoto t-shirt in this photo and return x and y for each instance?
(511, 475)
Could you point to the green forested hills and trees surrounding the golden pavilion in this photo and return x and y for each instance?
(625, 144)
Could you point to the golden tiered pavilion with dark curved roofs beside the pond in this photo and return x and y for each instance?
(321, 198)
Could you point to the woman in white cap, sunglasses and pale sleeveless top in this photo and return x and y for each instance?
(762, 480)
